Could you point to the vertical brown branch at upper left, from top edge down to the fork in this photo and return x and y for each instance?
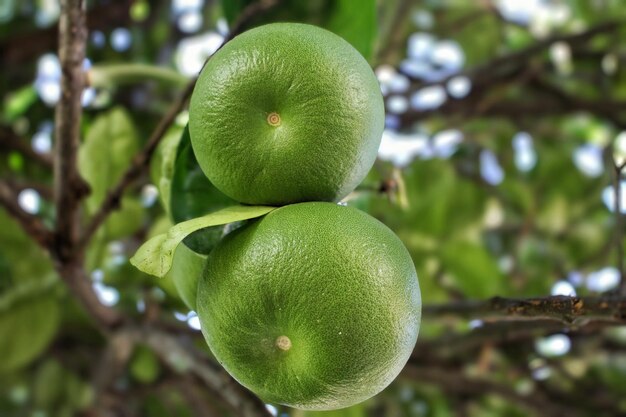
(68, 187)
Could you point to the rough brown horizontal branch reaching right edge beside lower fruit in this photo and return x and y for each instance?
(563, 308)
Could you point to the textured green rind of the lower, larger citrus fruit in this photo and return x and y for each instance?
(334, 280)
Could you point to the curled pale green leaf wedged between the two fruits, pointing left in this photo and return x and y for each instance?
(155, 256)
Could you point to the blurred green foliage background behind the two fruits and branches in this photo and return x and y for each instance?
(470, 236)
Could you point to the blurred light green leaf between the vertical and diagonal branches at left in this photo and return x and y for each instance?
(109, 147)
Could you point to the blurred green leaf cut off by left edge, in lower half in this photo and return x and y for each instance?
(29, 319)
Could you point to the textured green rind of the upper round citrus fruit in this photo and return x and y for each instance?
(329, 102)
